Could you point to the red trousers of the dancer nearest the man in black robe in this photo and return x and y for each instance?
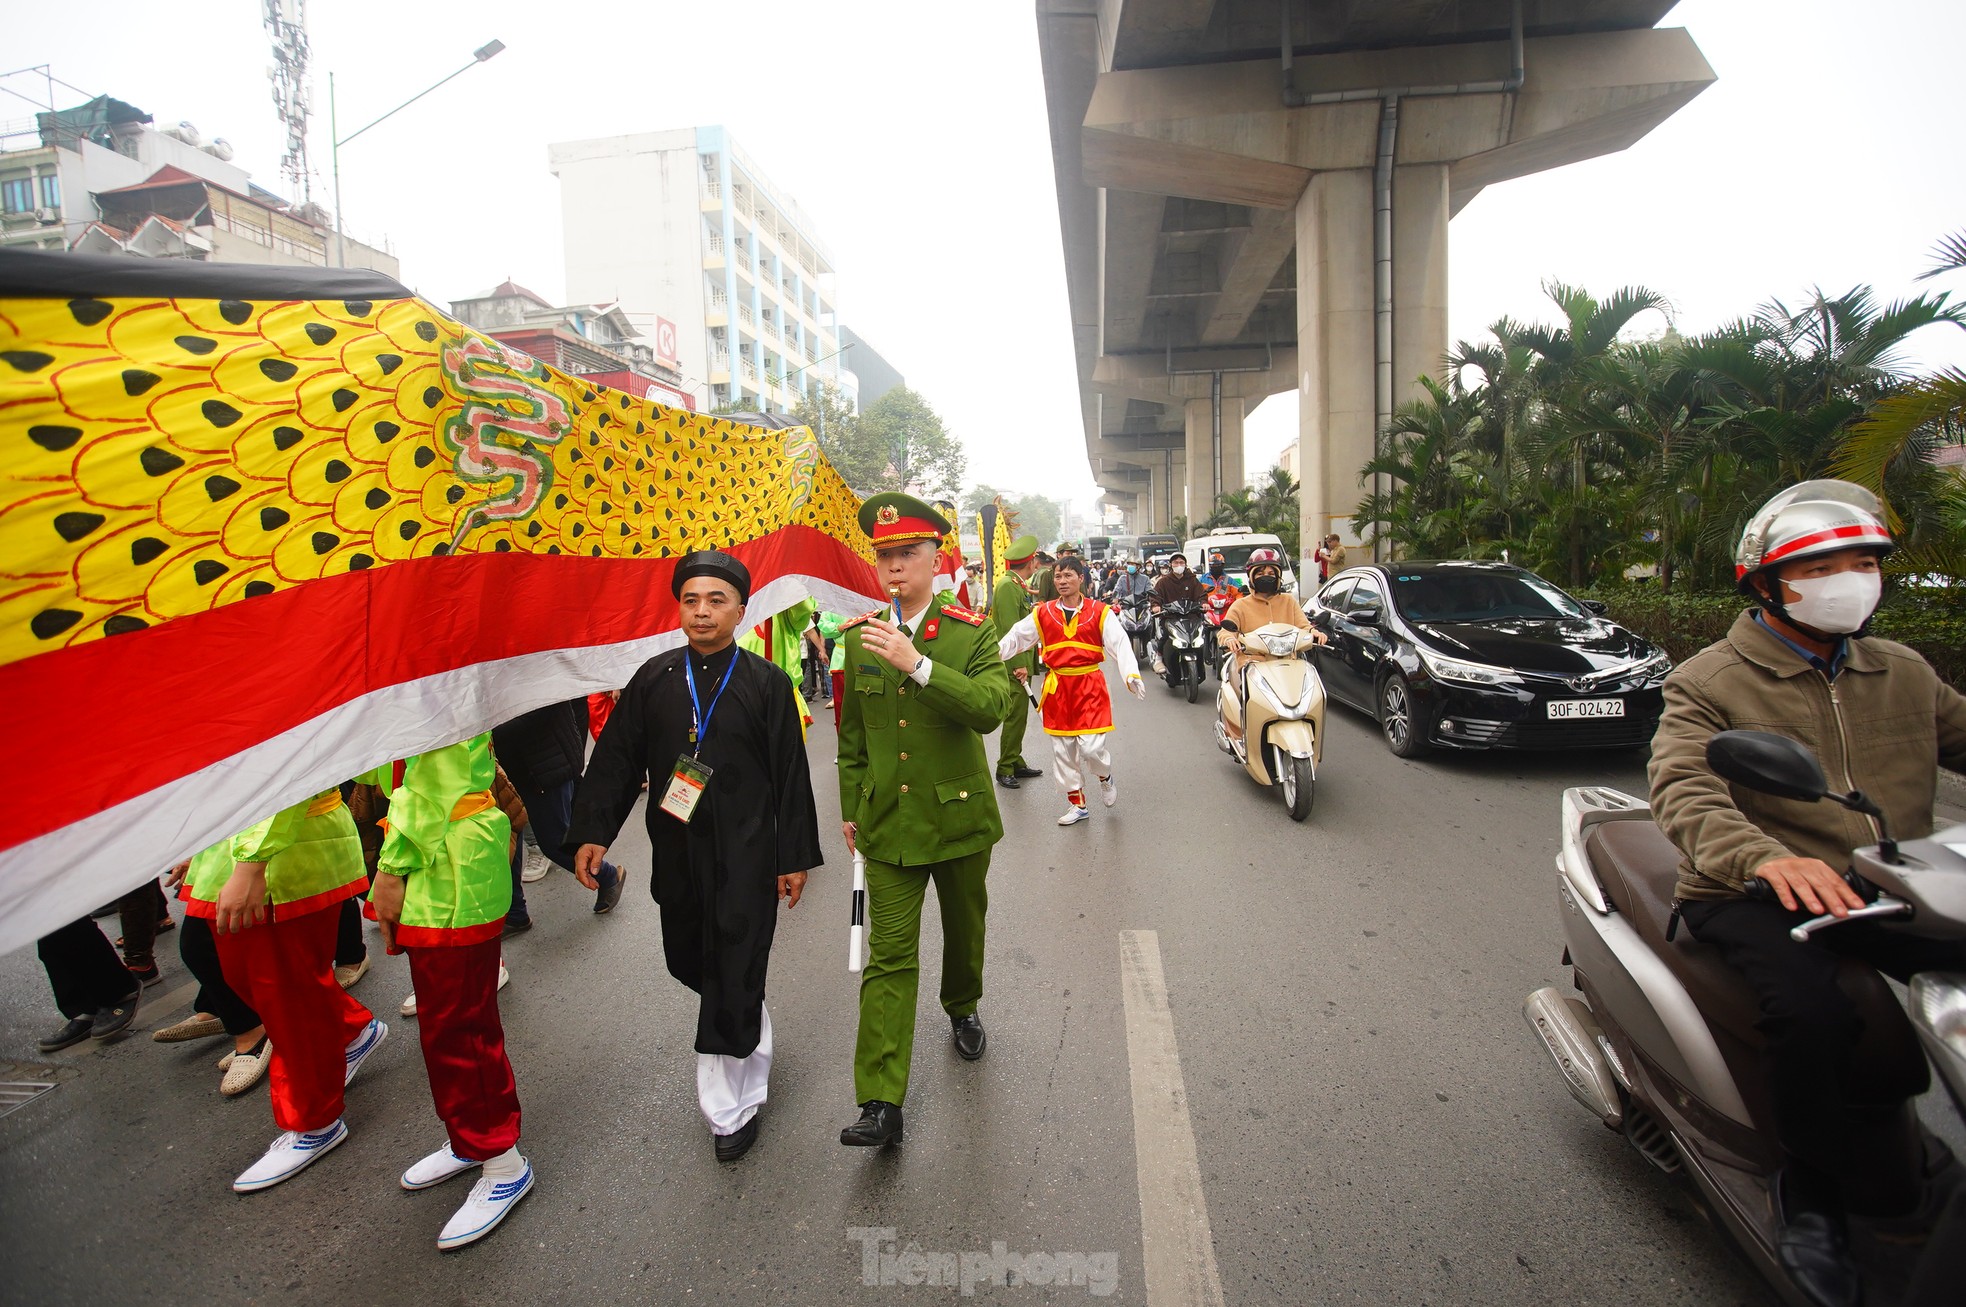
(465, 1047)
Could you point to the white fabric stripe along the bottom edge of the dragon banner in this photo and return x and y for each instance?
(58, 878)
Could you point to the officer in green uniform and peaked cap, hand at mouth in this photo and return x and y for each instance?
(915, 799)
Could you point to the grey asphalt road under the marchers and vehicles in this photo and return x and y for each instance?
(1371, 1119)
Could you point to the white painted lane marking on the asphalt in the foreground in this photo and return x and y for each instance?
(1177, 1245)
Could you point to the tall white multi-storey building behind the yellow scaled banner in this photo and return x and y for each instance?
(685, 227)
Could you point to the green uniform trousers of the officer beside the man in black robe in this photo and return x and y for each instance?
(894, 972)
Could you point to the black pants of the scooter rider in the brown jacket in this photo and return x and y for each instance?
(1841, 1149)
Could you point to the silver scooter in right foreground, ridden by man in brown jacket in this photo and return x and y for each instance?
(1660, 1045)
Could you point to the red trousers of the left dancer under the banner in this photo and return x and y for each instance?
(286, 974)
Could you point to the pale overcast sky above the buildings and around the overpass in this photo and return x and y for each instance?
(915, 135)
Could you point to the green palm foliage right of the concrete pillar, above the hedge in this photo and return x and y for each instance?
(1586, 455)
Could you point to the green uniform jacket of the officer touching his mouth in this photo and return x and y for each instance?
(913, 773)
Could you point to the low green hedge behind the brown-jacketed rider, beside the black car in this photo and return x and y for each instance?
(1934, 622)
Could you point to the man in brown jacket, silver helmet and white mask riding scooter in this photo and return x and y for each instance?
(1804, 665)
